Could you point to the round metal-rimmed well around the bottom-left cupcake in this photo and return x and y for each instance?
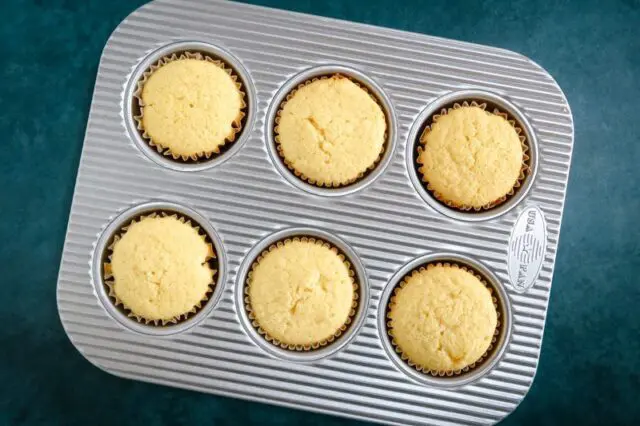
(104, 280)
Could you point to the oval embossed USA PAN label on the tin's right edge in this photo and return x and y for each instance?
(527, 245)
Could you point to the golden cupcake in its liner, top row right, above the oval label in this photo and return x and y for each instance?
(471, 158)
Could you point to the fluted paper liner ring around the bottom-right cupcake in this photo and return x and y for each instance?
(447, 373)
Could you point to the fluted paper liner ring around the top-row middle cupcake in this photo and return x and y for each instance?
(325, 184)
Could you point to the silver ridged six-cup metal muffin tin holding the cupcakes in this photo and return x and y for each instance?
(386, 223)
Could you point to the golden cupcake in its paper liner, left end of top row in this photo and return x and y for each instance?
(190, 106)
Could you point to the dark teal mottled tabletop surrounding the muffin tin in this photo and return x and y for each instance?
(590, 365)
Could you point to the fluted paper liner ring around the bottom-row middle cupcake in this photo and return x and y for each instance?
(315, 345)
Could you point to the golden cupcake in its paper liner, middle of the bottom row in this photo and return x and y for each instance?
(300, 293)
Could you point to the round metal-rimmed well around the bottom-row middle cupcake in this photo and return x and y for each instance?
(317, 350)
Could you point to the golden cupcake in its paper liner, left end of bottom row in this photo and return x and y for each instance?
(159, 269)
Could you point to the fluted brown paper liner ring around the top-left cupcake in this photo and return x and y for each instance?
(237, 125)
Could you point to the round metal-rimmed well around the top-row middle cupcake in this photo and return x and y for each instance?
(306, 77)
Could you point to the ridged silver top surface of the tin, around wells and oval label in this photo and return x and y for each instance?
(245, 199)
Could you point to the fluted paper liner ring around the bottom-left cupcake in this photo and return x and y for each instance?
(109, 280)
